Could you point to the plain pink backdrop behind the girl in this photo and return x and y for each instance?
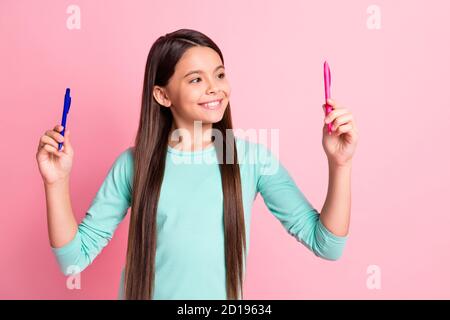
(394, 80)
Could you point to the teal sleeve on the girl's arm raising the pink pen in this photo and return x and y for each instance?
(289, 205)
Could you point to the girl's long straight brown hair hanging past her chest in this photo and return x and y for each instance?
(149, 164)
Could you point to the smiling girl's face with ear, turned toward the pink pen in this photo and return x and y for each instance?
(199, 77)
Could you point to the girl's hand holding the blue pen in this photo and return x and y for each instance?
(54, 165)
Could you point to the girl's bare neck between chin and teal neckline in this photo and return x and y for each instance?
(192, 137)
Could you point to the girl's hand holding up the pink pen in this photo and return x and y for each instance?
(341, 144)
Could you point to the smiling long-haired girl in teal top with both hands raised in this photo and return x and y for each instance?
(190, 209)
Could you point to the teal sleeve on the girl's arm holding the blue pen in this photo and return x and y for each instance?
(108, 208)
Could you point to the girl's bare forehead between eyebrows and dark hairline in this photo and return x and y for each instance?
(198, 58)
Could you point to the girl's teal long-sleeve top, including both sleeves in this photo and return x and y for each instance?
(190, 253)
